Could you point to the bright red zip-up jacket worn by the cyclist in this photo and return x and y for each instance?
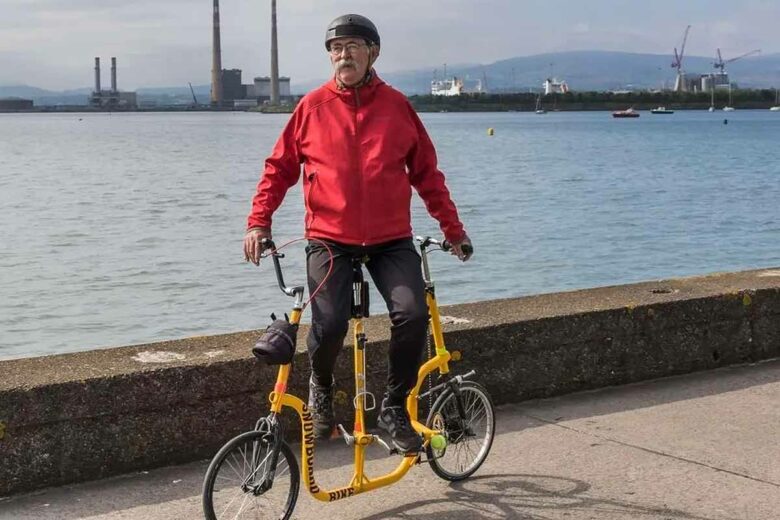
(362, 151)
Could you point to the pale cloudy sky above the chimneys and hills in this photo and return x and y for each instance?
(51, 44)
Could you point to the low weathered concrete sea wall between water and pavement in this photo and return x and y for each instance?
(88, 415)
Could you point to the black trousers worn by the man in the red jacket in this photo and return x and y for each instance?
(395, 268)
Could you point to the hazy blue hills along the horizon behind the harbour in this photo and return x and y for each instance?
(582, 70)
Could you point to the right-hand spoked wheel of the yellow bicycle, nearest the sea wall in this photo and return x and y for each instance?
(469, 438)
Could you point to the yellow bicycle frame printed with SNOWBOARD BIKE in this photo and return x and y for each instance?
(361, 483)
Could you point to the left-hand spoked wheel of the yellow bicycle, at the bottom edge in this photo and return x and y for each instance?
(239, 483)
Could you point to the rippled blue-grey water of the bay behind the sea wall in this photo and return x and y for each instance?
(127, 228)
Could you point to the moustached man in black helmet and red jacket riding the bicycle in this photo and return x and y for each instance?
(362, 148)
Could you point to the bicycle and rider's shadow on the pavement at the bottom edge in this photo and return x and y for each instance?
(525, 497)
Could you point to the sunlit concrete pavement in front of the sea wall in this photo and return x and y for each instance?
(694, 447)
